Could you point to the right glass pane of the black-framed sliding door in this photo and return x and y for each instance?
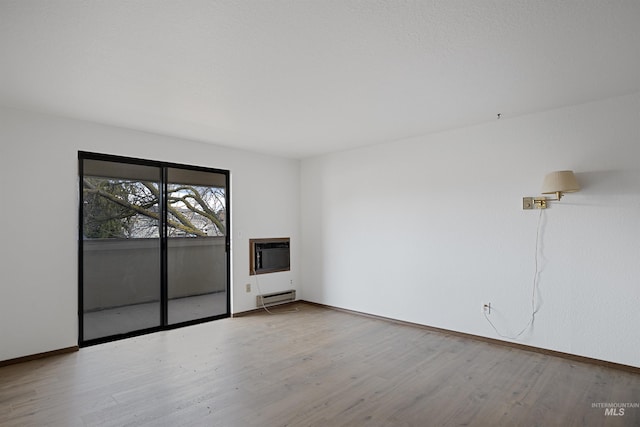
(196, 251)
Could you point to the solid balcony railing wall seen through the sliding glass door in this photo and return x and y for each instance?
(119, 272)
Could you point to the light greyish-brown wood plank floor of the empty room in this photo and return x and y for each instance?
(313, 367)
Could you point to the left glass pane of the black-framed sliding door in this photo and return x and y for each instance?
(121, 248)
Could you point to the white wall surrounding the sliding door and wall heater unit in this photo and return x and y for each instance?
(39, 217)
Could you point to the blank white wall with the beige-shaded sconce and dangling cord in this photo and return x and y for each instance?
(426, 230)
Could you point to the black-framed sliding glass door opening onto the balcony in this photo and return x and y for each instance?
(154, 248)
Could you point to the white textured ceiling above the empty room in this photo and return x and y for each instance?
(298, 78)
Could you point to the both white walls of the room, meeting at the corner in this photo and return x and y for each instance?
(423, 230)
